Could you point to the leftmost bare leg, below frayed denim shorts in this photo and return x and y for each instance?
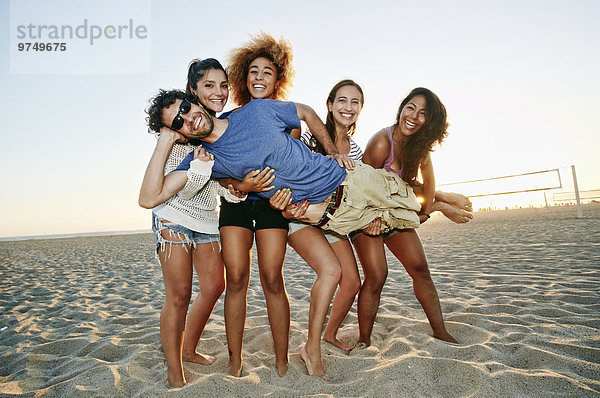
(176, 266)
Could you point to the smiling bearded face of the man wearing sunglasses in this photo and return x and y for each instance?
(197, 123)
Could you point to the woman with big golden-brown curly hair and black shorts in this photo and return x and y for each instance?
(262, 69)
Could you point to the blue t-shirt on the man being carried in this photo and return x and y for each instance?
(258, 135)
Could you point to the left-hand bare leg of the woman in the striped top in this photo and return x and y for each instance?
(312, 246)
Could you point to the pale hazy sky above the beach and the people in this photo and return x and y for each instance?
(519, 80)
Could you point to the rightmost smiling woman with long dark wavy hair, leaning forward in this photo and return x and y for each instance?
(404, 149)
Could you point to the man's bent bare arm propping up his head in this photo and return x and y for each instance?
(156, 188)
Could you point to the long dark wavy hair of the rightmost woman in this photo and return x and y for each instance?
(433, 132)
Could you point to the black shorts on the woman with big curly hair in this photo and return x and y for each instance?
(251, 214)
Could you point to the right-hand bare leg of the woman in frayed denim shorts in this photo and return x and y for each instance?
(210, 270)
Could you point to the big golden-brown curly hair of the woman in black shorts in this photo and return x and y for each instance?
(261, 45)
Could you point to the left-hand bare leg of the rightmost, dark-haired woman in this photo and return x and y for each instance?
(371, 254)
